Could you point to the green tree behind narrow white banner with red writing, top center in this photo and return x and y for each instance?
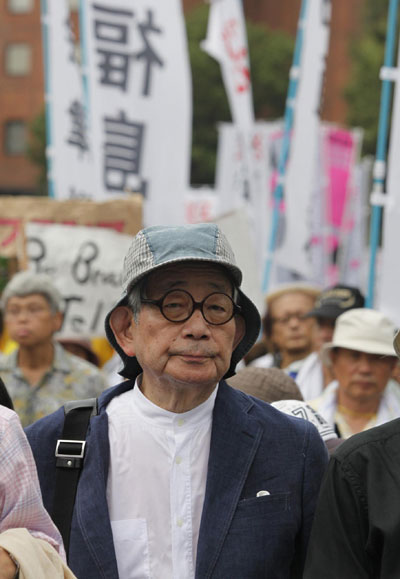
(270, 59)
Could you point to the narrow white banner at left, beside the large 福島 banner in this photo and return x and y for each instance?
(68, 148)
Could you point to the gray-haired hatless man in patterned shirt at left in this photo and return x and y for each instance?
(40, 375)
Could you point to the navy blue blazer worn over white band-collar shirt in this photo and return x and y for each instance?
(253, 447)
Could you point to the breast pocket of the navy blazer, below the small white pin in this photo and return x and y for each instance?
(257, 511)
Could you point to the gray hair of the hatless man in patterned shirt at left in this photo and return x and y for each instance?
(26, 283)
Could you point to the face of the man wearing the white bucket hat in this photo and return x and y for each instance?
(362, 377)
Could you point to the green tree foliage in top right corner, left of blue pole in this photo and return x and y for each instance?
(363, 92)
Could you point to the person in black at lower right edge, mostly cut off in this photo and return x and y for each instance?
(356, 532)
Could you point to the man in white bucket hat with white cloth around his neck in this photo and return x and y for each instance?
(362, 359)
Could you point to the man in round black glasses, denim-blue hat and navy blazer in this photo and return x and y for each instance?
(185, 476)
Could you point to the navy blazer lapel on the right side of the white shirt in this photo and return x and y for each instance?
(234, 441)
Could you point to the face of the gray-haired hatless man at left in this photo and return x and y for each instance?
(30, 321)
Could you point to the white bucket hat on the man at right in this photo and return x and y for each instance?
(364, 330)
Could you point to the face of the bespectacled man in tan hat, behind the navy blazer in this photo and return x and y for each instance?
(290, 331)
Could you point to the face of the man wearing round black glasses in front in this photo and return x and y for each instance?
(192, 351)
